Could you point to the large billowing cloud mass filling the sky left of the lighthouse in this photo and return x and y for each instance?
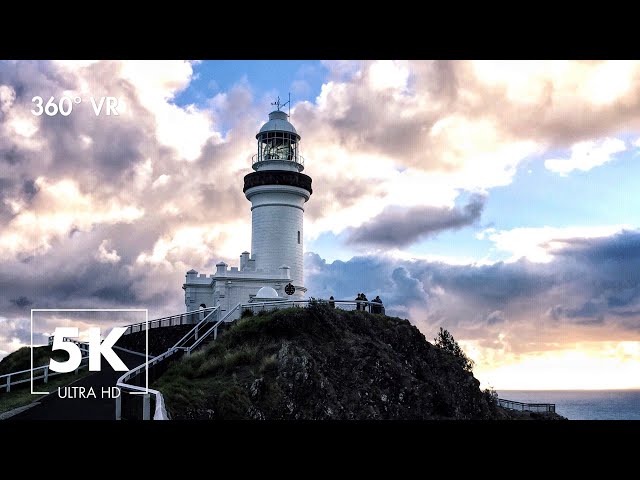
(69, 183)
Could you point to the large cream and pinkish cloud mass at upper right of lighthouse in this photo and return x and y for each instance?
(455, 126)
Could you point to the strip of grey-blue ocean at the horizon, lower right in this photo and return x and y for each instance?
(583, 404)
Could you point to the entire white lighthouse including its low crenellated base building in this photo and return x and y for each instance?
(277, 191)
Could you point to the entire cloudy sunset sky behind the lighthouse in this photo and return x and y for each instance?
(499, 200)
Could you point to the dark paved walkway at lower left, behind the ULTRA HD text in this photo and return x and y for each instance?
(52, 407)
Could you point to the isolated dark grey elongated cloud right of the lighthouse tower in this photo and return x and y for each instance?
(399, 227)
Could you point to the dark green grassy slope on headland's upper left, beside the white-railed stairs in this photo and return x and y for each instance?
(248, 350)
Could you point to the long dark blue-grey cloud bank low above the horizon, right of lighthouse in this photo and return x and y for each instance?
(589, 290)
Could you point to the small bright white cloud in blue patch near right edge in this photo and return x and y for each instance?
(586, 155)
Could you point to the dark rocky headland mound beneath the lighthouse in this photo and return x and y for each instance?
(321, 363)
